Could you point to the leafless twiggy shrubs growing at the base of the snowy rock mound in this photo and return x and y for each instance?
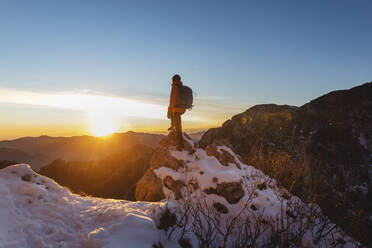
(297, 224)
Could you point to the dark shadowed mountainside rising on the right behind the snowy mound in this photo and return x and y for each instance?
(328, 141)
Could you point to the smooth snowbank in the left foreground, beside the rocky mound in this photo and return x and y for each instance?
(37, 212)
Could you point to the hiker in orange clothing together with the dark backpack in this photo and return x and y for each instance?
(180, 99)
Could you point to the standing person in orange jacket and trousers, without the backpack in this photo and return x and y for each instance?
(176, 109)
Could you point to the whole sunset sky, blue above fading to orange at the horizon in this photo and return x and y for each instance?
(85, 67)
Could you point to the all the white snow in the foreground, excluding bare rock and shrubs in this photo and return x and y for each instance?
(37, 212)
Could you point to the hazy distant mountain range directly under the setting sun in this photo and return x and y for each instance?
(40, 151)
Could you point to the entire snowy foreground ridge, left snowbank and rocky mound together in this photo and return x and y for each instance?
(199, 189)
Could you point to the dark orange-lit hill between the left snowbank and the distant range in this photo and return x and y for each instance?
(113, 177)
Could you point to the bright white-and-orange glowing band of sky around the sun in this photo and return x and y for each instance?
(75, 114)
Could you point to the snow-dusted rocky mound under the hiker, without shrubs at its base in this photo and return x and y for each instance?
(216, 177)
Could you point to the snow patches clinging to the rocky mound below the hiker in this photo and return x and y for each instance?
(264, 198)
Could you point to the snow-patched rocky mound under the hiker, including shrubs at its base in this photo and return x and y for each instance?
(221, 202)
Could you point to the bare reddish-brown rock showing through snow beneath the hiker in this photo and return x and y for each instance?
(149, 188)
